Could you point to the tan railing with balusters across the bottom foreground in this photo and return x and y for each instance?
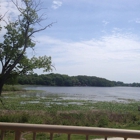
(87, 131)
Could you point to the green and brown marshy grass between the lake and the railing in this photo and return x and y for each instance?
(21, 107)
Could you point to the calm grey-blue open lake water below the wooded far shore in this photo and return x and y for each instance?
(119, 94)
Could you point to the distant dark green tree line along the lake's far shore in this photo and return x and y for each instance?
(65, 80)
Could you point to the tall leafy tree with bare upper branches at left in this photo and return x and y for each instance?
(18, 38)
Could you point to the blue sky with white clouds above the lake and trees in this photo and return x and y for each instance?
(90, 37)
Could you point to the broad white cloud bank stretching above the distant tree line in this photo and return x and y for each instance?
(113, 57)
